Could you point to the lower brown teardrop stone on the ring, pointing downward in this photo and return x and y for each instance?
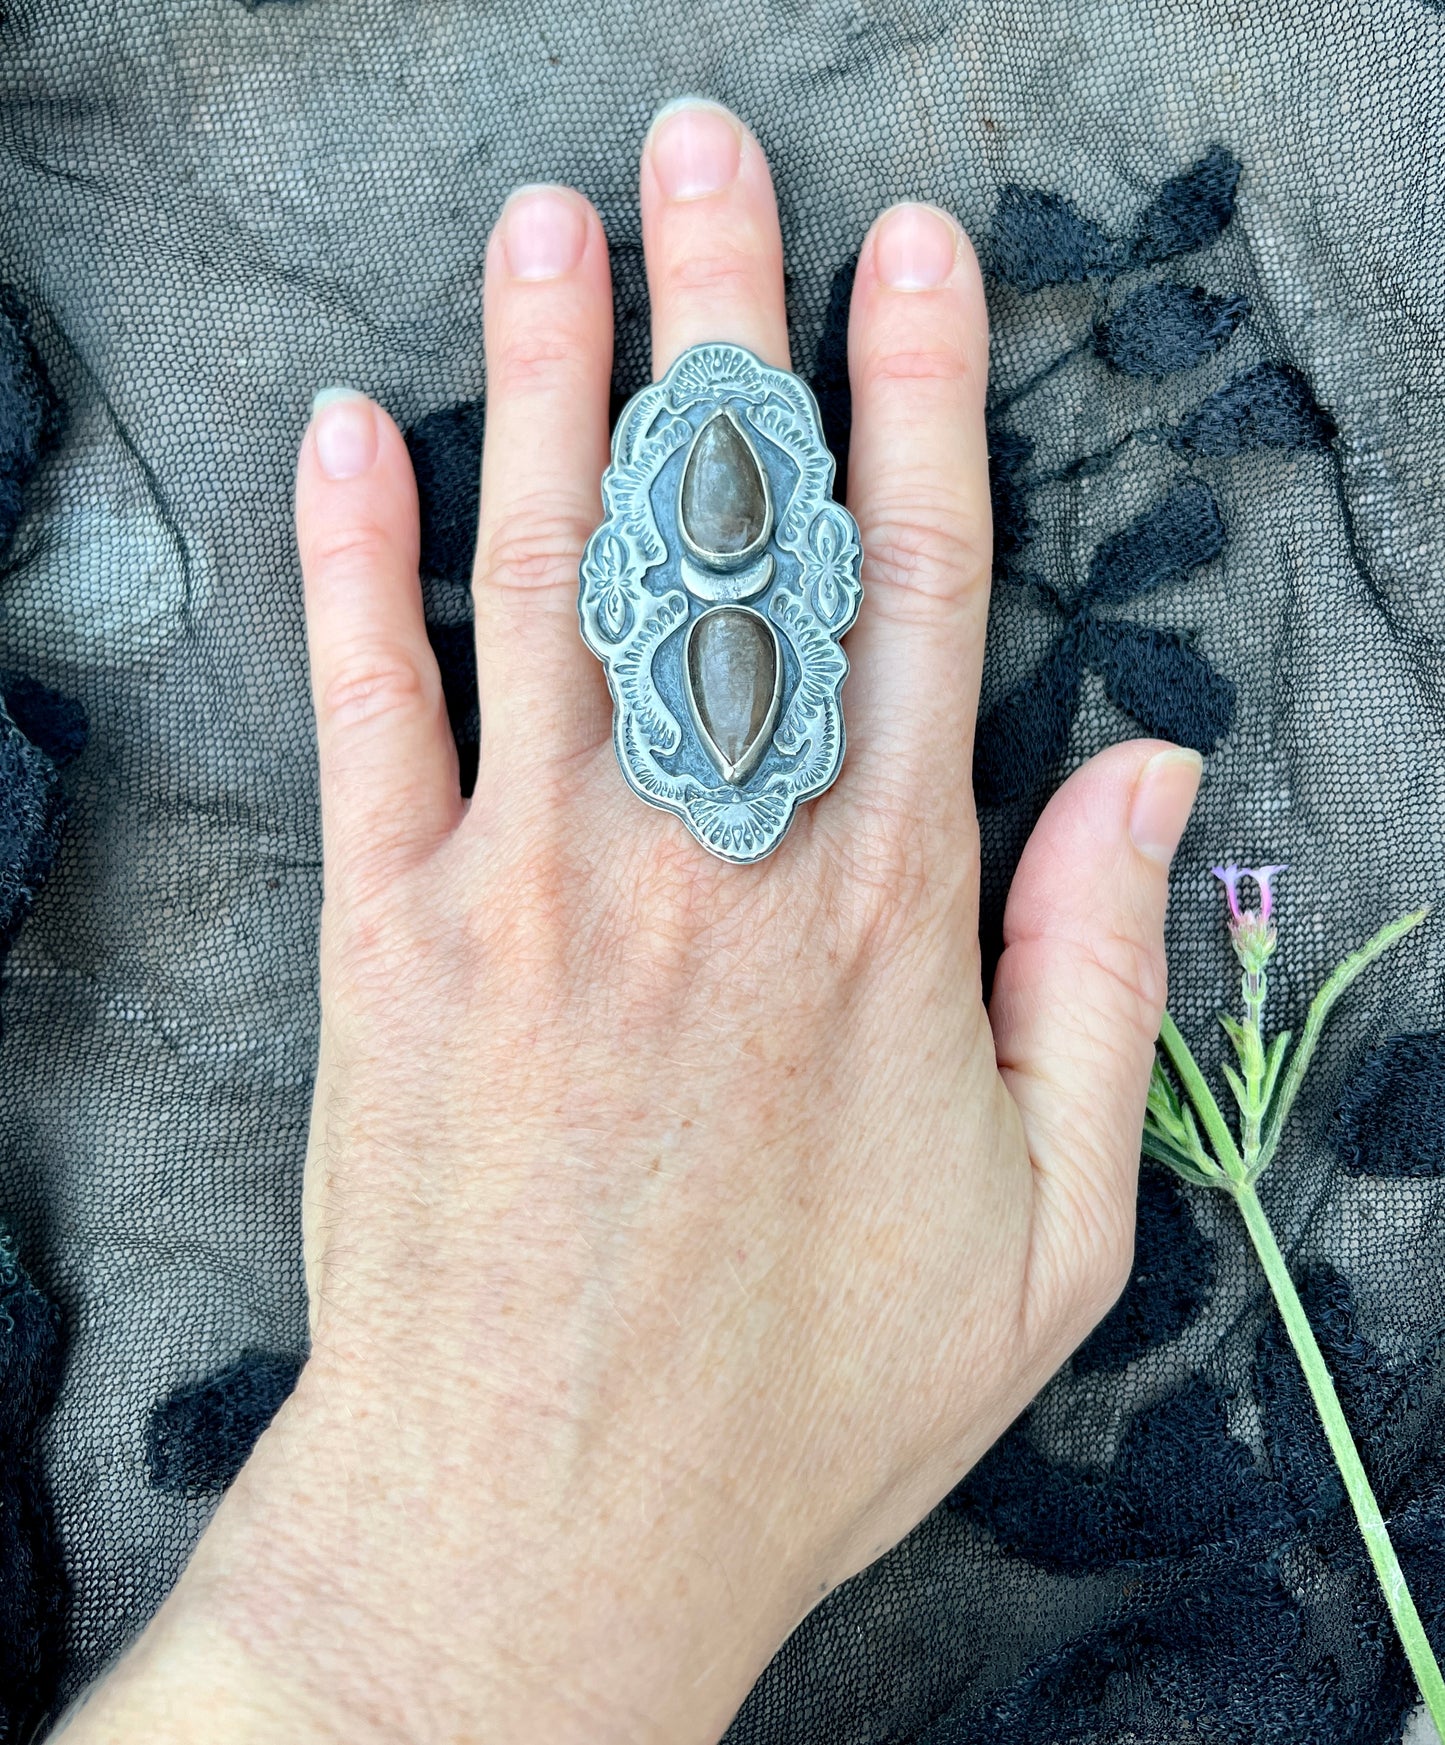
(734, 688)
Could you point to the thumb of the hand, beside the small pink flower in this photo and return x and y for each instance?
(1076, 1009)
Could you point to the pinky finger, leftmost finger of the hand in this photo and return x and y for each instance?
(388, 760)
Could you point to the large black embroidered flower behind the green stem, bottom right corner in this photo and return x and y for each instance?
(1209, 1536)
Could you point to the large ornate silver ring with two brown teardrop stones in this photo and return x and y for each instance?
(715, 592)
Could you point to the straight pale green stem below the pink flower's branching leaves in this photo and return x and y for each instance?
(1327, 1404)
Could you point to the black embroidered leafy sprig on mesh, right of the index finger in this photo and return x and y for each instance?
(1154, 331)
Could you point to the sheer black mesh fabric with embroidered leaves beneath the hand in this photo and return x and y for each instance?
(1214, 238)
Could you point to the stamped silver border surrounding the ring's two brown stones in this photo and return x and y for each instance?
(811, 599)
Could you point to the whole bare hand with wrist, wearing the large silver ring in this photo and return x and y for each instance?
(678, 1233)
